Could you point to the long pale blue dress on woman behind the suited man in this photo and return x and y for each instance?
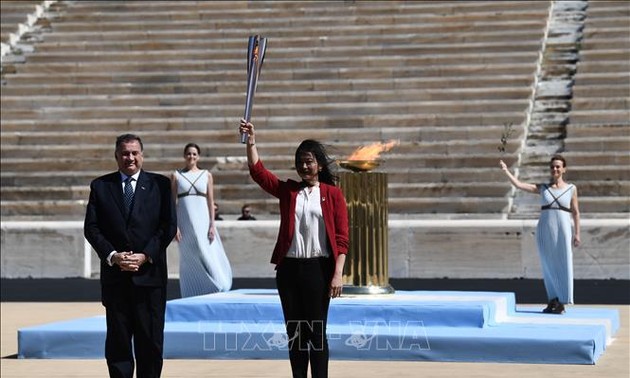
(203, 266)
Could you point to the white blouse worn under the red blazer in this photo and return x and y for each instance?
(309, 237)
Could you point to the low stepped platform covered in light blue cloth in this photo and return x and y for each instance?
(407, 325)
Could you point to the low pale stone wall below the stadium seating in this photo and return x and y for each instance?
(417, 249)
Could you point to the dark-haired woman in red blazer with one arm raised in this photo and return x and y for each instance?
(310, 251)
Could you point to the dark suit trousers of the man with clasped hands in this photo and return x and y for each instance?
(134, 313)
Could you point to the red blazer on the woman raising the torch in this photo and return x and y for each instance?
(333, 205)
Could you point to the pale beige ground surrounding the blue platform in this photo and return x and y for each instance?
(15, 315)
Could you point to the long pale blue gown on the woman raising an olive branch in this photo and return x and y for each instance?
(554, 238)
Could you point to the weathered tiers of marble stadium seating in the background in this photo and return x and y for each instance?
(444, 78)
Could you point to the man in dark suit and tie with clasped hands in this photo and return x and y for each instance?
(130, 220)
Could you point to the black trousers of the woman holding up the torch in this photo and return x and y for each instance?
(303, 286)
